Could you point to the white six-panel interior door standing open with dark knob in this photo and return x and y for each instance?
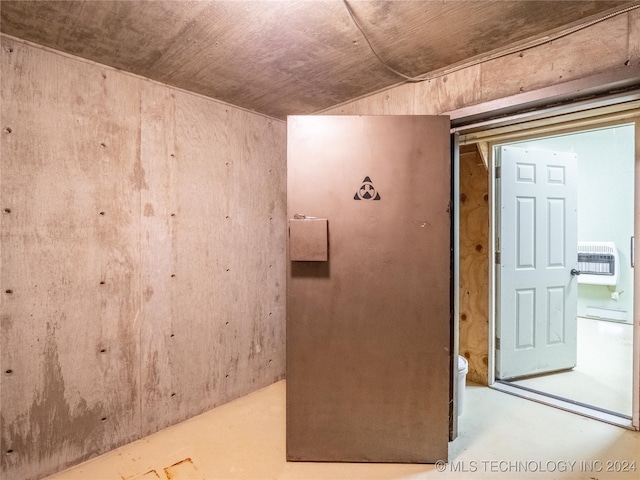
(536, 318)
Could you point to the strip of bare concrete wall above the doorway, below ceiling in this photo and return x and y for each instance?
(611, 44)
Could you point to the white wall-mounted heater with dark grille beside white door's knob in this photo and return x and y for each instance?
(598, 263)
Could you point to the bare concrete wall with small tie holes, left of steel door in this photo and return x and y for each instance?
(143, 257)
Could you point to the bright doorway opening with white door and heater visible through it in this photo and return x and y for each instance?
(564, 275)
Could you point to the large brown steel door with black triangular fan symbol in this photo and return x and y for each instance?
(369, 319)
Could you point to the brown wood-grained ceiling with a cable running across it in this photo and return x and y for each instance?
(287, 57)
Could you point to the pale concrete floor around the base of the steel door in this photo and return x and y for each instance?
(501, 436)
